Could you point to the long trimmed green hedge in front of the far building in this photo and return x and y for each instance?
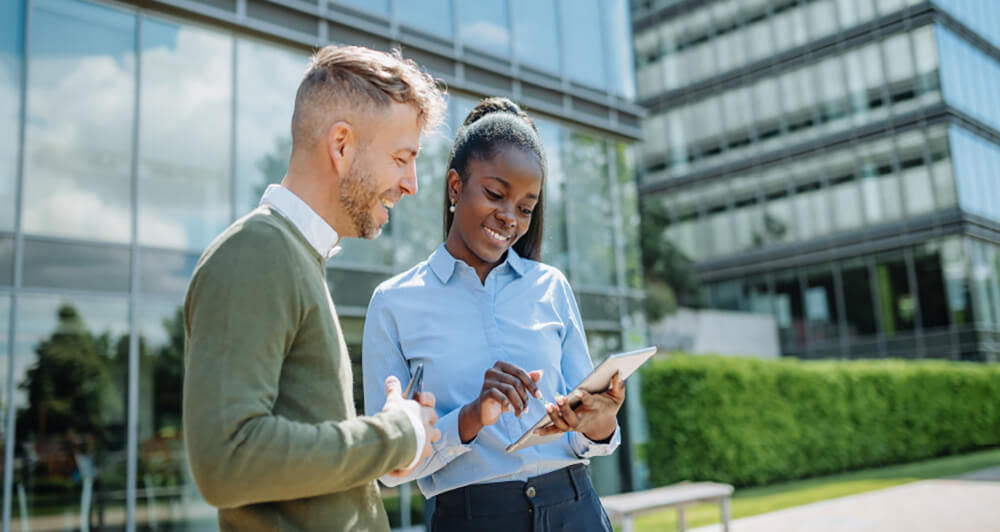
(750, 422)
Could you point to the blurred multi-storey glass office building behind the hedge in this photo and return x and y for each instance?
(832, 163)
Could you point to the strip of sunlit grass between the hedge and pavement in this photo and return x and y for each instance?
(758, 500)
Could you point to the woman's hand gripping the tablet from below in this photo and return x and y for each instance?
(595, 416)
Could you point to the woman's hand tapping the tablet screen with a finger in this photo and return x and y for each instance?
(505, 387)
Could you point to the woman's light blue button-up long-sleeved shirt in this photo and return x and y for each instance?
(440, 314)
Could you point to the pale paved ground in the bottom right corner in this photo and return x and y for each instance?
(967, 503)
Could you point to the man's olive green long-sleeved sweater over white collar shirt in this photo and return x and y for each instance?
(269, 422)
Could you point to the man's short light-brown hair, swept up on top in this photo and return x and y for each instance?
(345, 82)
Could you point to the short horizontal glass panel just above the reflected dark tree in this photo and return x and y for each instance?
(88, 266)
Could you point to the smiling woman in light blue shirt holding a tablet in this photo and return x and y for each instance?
(482, 304)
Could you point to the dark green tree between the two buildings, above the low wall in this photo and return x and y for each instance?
(669, 274)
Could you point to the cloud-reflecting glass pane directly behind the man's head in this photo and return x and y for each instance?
(266, 80)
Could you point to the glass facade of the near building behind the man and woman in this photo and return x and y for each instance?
(132, 133)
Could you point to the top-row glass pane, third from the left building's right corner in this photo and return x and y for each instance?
(536, 41)
